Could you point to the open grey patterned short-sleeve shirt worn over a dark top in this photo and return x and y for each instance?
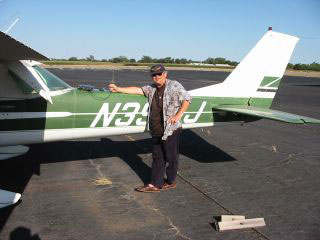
(173, 97)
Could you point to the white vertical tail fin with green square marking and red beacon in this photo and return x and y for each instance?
(256, 79)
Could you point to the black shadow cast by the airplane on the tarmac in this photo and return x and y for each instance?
(17, 172)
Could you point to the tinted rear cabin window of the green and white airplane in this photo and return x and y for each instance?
(53, 82)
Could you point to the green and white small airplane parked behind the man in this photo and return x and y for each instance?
(36, 106)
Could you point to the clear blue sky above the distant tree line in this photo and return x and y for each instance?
(192, 29)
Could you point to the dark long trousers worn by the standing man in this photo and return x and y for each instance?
(165, 156)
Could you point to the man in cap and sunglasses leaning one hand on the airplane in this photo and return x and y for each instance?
(168, 100)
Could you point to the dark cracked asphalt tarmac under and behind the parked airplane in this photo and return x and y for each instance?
(263, 169)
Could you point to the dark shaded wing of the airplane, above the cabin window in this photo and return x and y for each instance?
(12, 49)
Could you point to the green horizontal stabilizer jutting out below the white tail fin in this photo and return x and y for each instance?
(268, 114)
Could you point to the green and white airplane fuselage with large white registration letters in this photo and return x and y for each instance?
(82, 114)
